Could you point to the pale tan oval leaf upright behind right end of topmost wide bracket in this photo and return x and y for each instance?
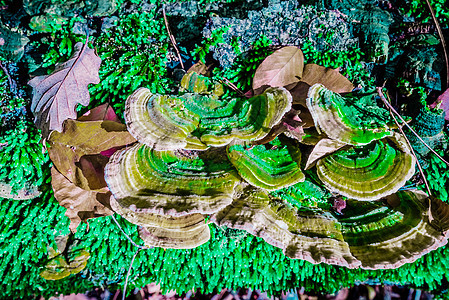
(281, 68)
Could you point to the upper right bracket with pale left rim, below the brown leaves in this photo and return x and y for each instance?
(352, 120)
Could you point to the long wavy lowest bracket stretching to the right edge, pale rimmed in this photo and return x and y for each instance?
(373, 235)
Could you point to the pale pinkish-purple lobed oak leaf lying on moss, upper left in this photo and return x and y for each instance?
(56, 95)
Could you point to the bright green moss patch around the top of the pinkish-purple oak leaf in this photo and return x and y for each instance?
(133, 52)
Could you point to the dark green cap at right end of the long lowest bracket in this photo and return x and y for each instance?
(389, 236)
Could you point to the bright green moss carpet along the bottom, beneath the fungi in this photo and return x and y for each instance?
(222, 262)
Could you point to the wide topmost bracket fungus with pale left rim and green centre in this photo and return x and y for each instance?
(174, 122)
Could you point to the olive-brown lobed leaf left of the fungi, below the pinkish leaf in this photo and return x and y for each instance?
(76, 152)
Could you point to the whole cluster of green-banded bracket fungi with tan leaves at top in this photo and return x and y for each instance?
(202, 155)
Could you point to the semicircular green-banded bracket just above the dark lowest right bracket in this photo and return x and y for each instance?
(368, 172)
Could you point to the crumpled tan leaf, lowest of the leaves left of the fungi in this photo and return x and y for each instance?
(81, 204)
